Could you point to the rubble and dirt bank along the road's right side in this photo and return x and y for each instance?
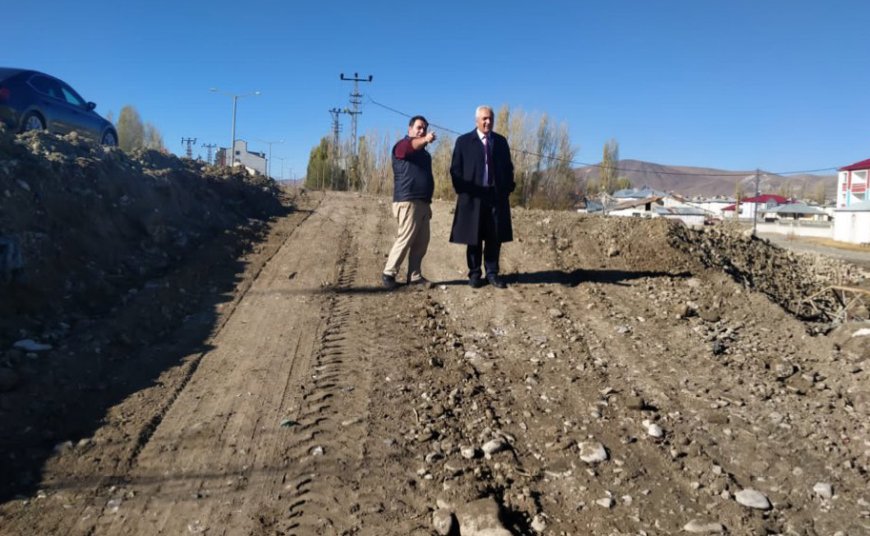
(794, 281)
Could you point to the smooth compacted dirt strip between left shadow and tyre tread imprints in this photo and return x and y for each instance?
(224, 471)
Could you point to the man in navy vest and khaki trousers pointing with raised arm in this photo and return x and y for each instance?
(412, 198)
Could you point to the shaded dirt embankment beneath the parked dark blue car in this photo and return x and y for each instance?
(81, 226)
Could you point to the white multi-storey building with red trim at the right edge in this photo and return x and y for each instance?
(852, 215)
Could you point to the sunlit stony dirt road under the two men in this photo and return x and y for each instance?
(618, 386)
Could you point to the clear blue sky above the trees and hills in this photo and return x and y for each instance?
(738, 84)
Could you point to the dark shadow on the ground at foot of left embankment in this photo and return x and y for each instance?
(111, 353)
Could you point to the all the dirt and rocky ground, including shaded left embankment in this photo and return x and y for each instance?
(208, 355)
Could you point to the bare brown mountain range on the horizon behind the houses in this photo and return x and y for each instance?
(709, 182)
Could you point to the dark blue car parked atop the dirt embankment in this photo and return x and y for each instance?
(30, 100)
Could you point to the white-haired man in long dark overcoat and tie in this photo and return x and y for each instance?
(483, 178)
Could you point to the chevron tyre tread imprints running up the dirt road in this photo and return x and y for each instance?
(329, 449)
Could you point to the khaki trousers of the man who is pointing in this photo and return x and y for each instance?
(412, 238)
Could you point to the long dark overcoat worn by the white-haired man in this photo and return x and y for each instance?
(466, 172)
